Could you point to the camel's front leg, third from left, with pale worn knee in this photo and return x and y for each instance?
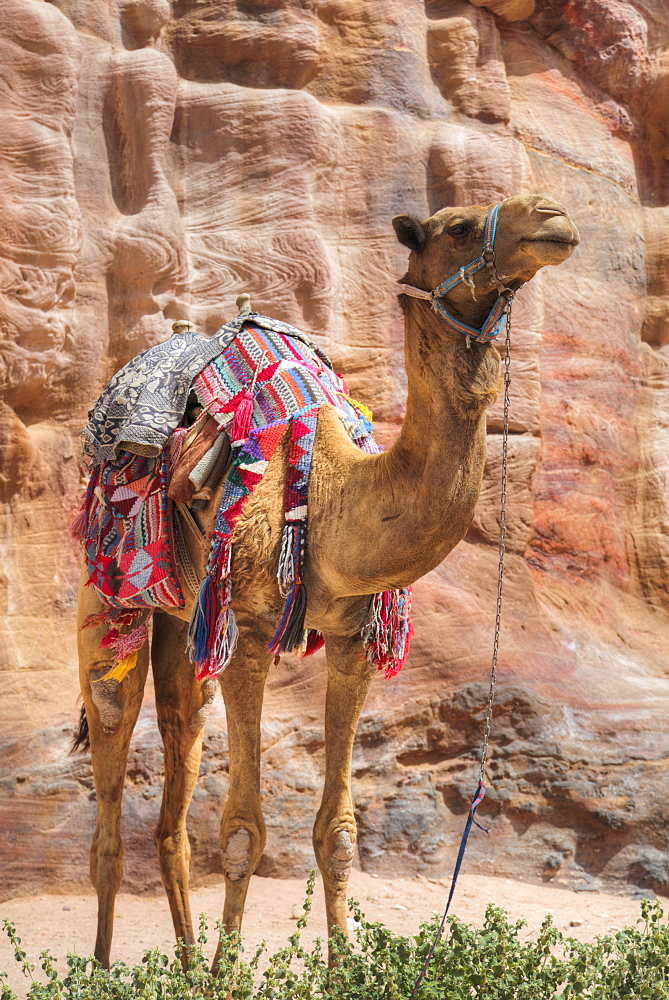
(243, 831)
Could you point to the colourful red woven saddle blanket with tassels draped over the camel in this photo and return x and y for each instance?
(262, 383)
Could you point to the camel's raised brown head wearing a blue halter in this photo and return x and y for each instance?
(532, 231)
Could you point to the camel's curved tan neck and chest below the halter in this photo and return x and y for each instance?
(415, 501)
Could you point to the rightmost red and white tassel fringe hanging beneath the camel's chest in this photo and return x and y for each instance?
(387, 636)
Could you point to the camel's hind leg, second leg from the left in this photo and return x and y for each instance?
(181, 706)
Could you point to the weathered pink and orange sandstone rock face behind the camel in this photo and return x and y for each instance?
(158, 160)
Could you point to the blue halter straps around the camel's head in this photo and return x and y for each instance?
(495, 319)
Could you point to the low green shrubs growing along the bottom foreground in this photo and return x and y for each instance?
(491, 963)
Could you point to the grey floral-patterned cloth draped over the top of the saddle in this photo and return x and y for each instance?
(146, 400)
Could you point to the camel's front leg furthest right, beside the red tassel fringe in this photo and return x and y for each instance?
(349, 678)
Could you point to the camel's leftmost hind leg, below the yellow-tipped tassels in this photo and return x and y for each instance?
(111, 712)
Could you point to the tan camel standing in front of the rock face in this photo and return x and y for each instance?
(375, 522)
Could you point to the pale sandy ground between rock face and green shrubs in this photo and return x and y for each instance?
(67, 922)
